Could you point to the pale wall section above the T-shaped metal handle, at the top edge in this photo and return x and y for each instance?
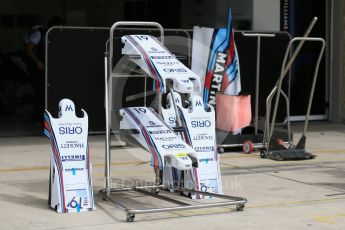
(266, 15)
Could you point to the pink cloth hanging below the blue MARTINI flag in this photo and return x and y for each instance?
(233, 112)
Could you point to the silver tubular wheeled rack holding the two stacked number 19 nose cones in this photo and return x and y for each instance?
(239, 202)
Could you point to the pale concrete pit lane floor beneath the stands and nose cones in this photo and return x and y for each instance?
(281, 195)
